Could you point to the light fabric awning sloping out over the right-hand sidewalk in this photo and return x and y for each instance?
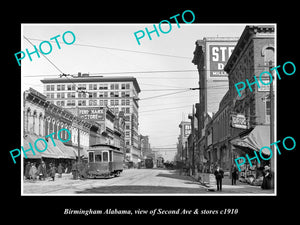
(255, 140)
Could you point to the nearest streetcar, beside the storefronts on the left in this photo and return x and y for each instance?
(104, 161)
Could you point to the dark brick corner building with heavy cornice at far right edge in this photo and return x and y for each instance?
(250, 58)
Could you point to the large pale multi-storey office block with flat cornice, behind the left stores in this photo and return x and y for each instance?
(84, 93)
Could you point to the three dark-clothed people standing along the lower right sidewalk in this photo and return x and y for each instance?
(219, 175)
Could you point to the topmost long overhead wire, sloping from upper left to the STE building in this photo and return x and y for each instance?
(120, 49)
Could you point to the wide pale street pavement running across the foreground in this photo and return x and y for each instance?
(134, 181)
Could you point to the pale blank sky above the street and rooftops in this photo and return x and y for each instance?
(161, 125)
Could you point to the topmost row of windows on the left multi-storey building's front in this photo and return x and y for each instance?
(72, 87)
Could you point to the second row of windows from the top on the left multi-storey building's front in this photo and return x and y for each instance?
(112, 94)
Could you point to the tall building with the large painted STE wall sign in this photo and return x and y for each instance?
(210, 57)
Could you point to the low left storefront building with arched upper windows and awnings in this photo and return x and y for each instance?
(42, 118)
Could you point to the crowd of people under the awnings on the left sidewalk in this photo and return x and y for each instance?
(41, 173)
